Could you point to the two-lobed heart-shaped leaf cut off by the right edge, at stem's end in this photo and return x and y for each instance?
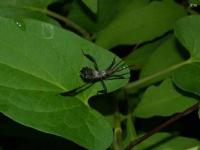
(188, 33)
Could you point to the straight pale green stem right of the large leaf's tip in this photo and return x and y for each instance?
(150, 79)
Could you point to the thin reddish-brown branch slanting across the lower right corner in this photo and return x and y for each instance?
(165, 124)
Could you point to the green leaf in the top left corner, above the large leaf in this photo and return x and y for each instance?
(26, 9)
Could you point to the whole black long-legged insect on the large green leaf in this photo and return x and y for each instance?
(92, 75)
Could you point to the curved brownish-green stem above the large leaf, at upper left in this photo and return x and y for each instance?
(68, 22)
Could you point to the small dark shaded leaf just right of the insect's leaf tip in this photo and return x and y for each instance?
(140, 56)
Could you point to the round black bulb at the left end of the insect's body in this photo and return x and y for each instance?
(86, 73)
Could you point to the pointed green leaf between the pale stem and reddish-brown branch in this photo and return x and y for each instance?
(163, 100)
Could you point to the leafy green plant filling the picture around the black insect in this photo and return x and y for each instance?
(39, 59)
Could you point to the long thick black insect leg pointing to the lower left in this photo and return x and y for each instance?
(78, 90)
